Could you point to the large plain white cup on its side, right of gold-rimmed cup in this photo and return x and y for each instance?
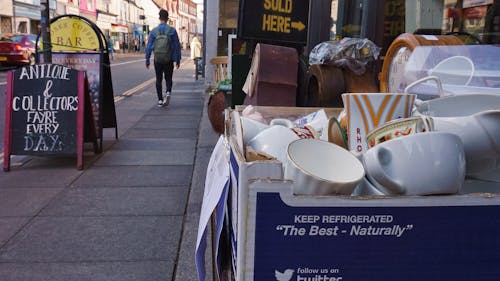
(419, 164)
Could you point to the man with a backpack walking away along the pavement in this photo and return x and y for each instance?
(164, 43)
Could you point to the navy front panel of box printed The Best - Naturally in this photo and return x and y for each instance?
(291, 240)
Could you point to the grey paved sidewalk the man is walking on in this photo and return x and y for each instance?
(131, 214)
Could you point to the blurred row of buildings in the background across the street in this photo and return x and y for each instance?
(128, 22)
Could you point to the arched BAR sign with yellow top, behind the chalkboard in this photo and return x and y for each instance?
(84, 47)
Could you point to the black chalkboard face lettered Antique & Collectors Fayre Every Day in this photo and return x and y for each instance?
(44, 110)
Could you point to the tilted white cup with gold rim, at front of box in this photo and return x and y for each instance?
(322, 168)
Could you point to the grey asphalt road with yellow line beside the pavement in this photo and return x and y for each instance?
(128, 73)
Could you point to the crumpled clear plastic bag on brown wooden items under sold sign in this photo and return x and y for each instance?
(353, 53)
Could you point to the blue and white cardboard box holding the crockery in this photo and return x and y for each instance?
(276, 235)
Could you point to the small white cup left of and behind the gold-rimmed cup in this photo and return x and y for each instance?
(273, 141)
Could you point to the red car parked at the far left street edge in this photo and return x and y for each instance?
(17, 49)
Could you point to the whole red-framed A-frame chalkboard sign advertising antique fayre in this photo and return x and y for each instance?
(48, 112)
